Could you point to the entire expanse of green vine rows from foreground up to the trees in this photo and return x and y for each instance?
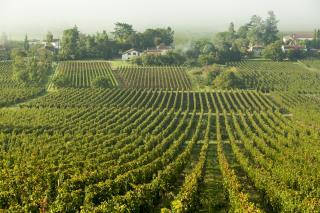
(152, 144)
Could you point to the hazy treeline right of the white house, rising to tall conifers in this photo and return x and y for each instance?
(230, 45)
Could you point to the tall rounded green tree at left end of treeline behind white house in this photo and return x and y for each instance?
(70, 43)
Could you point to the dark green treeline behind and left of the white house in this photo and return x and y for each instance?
(77, 45)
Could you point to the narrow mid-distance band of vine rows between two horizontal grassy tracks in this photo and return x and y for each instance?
(199, 101)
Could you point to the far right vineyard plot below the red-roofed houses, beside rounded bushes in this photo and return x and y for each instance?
(278, 76)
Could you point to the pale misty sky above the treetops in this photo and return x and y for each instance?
(36, 17)
